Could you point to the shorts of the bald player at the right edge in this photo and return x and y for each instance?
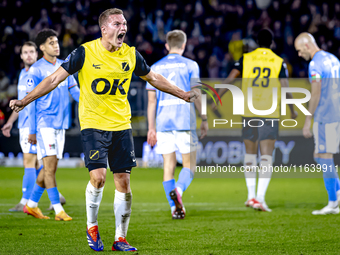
(326, 137)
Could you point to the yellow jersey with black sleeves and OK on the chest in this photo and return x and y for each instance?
(104, 79)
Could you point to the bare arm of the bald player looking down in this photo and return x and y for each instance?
(313, 103)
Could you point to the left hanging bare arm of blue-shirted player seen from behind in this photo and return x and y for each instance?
(152, 104)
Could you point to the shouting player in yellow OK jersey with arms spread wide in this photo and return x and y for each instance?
(105, 68)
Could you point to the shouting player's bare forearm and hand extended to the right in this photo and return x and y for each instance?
(161, 83)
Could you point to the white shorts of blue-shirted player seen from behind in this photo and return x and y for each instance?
(170, 141)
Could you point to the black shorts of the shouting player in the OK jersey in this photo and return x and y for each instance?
(115, 147)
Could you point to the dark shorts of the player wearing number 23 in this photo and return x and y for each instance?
(259, 132)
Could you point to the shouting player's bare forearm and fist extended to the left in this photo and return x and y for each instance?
(43, 88)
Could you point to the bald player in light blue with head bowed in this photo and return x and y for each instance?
(324, 73)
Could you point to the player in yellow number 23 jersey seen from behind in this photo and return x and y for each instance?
(260, 70)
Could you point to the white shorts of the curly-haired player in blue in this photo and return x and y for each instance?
(50, 142)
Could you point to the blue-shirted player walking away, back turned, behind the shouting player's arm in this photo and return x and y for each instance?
(175, 120)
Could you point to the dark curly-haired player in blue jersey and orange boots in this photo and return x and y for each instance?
(47, 129)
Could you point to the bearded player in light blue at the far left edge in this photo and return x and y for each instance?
(29, 56)
